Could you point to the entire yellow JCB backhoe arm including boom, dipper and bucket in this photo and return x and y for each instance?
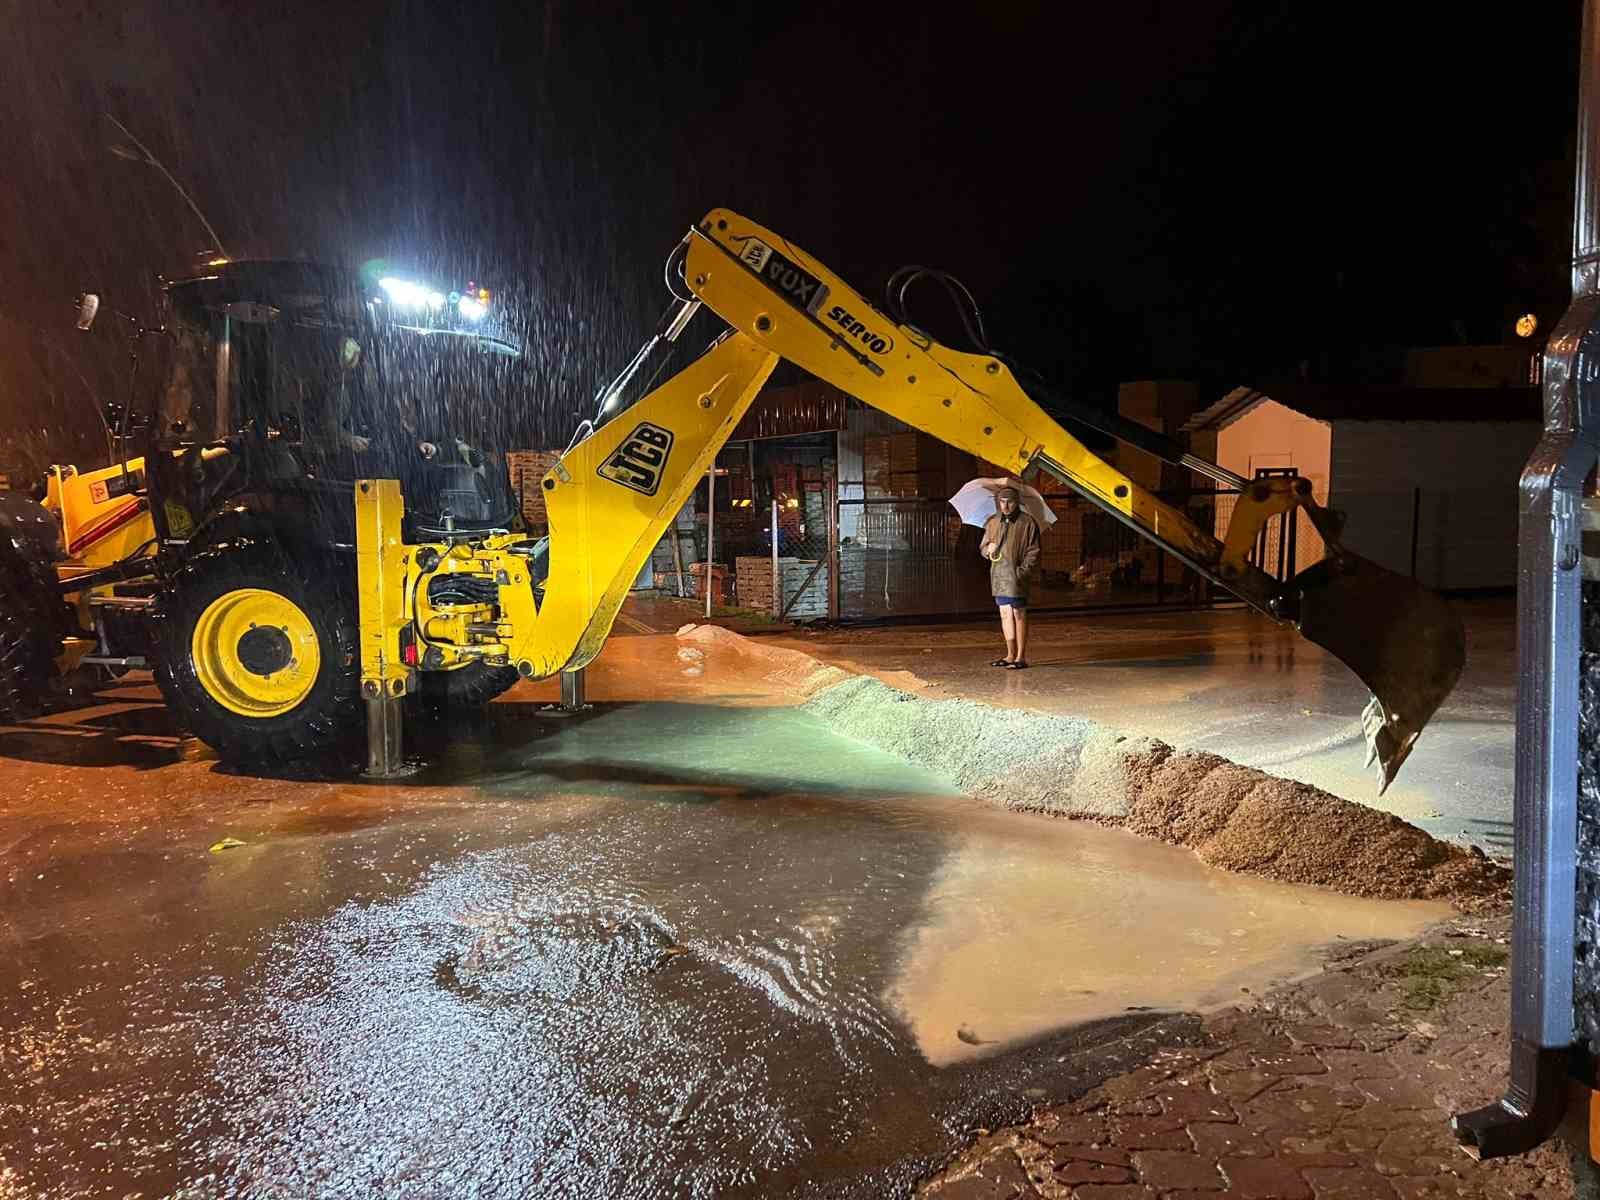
(614, 495)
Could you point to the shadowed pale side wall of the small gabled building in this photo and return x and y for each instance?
(1466, 514)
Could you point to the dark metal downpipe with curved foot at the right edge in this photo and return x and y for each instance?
(1550, 598)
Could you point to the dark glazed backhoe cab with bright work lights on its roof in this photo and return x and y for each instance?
(287, 382)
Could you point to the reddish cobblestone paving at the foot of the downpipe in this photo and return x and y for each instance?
(1340, 1089)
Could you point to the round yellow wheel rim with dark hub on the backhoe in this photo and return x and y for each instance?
(255, 652)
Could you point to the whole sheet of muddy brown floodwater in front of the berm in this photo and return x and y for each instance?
(660, 951)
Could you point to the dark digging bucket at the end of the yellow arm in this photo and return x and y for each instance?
(1399, 638)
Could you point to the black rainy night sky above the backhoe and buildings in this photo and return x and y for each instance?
(1226, 193)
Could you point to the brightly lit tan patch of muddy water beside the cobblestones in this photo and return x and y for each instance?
(1036, 922)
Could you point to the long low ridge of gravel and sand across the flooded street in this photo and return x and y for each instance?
(1233, 817)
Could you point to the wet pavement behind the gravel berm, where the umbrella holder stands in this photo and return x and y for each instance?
(1238, 686)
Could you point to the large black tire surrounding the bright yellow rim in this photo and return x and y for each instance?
(322, 588)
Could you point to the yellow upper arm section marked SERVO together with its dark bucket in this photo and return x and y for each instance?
(1401, 639)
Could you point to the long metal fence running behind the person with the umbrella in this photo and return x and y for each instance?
(868, 559)
